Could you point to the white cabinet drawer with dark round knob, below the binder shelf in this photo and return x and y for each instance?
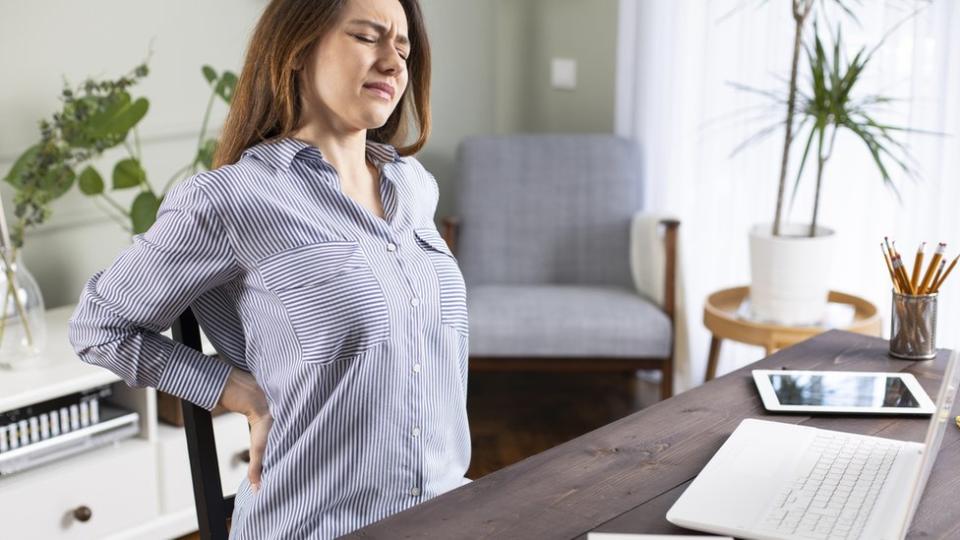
(117, 484)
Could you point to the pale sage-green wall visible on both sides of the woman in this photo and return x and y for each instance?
(490, 75)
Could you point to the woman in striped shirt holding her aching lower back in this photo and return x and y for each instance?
(311, 260)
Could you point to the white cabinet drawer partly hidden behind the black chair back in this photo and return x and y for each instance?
(232, 437)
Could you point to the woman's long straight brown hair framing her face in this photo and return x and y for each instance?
(266, 102)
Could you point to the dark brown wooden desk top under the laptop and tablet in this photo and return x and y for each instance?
(624, 476)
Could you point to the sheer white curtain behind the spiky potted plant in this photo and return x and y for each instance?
(678, 61)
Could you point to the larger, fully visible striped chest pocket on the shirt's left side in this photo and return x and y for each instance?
(332, 298)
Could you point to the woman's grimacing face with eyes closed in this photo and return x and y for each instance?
(358, 69)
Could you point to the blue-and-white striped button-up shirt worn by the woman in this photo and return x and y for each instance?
(355, 327)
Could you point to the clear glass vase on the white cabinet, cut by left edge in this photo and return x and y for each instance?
(23, 331)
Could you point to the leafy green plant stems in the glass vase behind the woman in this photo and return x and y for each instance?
(95, 117)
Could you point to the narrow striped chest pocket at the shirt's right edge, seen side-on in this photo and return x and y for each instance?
(453, 292)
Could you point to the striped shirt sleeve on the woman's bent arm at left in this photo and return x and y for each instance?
(123, 309)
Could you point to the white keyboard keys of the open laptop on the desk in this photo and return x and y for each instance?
(834, 498)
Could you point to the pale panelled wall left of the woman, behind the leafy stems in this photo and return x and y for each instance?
(54, 39)
